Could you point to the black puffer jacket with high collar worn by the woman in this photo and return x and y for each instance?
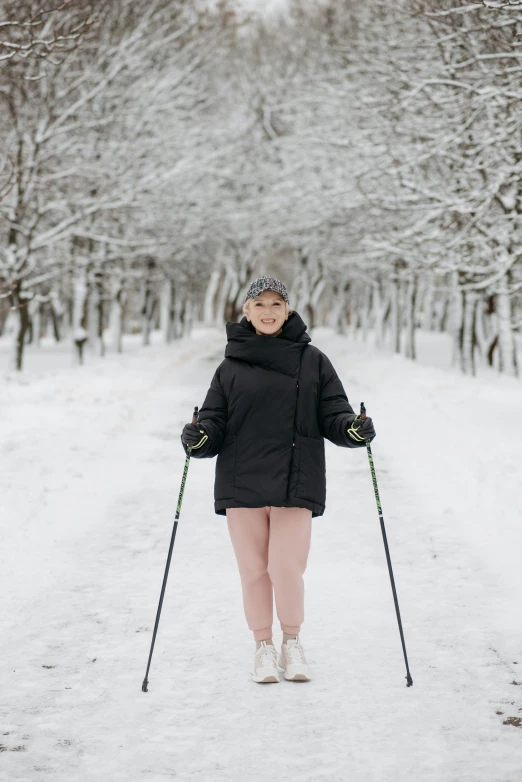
(270, 404)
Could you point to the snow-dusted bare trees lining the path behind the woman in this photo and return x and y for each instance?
(158, 154)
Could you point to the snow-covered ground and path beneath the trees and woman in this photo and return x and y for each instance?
(89, 480)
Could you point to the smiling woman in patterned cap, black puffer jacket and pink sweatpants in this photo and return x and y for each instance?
(270, 404)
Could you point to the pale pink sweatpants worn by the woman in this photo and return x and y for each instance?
(271, 546)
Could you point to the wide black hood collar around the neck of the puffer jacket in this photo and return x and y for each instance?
(280, 354)
